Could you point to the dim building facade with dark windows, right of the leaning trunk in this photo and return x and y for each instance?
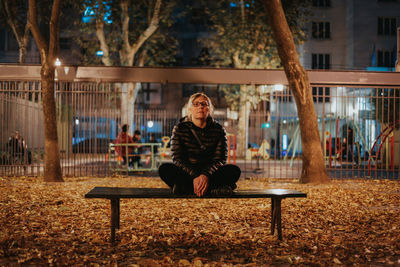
(352, 34)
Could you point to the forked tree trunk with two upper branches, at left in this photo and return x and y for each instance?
(48, 52)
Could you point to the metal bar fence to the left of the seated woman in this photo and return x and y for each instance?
(88, 119)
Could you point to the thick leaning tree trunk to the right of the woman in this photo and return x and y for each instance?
(313, 160)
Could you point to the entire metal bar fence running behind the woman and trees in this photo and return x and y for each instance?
(359, 128)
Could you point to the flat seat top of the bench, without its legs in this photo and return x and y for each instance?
(125, 192)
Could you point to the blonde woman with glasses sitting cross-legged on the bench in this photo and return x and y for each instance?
(199, 151)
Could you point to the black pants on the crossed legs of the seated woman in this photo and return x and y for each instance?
(225, 175)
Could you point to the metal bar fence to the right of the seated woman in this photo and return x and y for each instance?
(359, 130)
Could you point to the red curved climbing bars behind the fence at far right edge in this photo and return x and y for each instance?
(382, 137)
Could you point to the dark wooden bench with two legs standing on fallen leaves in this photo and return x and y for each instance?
(116, 193)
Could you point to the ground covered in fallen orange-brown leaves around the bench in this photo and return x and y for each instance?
(350, 222)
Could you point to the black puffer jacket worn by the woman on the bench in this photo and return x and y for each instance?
(187, 152)
